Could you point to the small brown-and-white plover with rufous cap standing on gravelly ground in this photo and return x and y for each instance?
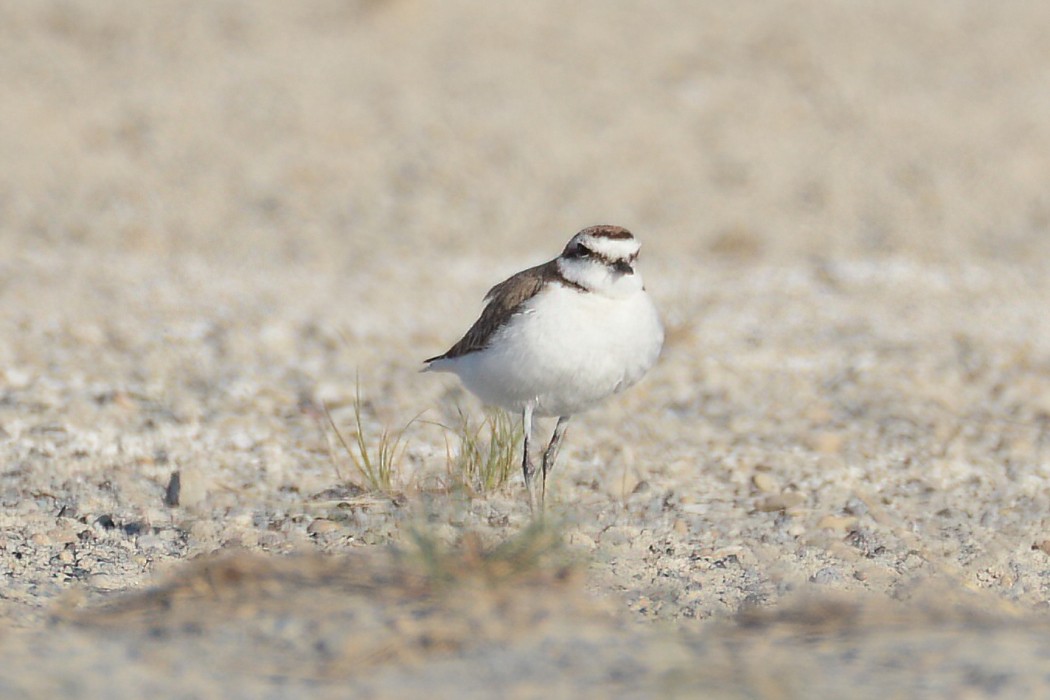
(561, 337)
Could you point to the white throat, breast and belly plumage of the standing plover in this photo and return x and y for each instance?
(568, 350)
